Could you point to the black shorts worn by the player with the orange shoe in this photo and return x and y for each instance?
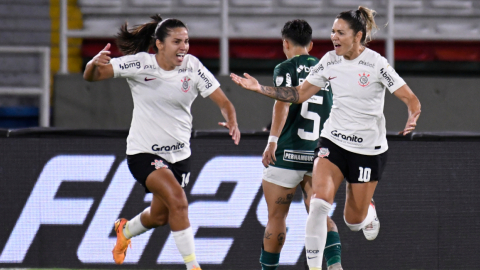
(143, 164)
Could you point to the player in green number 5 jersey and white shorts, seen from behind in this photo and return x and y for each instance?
(289, 154)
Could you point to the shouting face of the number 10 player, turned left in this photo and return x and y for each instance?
(342, 37)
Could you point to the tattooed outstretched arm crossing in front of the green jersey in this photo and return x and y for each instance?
(296, 94)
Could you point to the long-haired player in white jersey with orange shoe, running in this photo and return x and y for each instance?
(164, 86)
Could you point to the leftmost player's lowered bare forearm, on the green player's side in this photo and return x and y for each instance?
(228, 112)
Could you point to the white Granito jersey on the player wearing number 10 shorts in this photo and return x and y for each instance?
(356, 122)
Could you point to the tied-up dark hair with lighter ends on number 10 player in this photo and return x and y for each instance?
(361, 19)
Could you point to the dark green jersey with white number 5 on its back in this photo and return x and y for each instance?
(304, 122)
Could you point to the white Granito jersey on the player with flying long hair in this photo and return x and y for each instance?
(162, 121)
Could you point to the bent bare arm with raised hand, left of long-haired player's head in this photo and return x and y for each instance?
(99, 68)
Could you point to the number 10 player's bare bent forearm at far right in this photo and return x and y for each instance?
(406, 95)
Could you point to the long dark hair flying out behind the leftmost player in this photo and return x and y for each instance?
(141, 37)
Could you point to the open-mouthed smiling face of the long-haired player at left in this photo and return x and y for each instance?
(174, 47)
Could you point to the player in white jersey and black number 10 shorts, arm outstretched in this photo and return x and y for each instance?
(353, 144)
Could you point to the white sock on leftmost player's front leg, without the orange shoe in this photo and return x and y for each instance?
(186, 247)
